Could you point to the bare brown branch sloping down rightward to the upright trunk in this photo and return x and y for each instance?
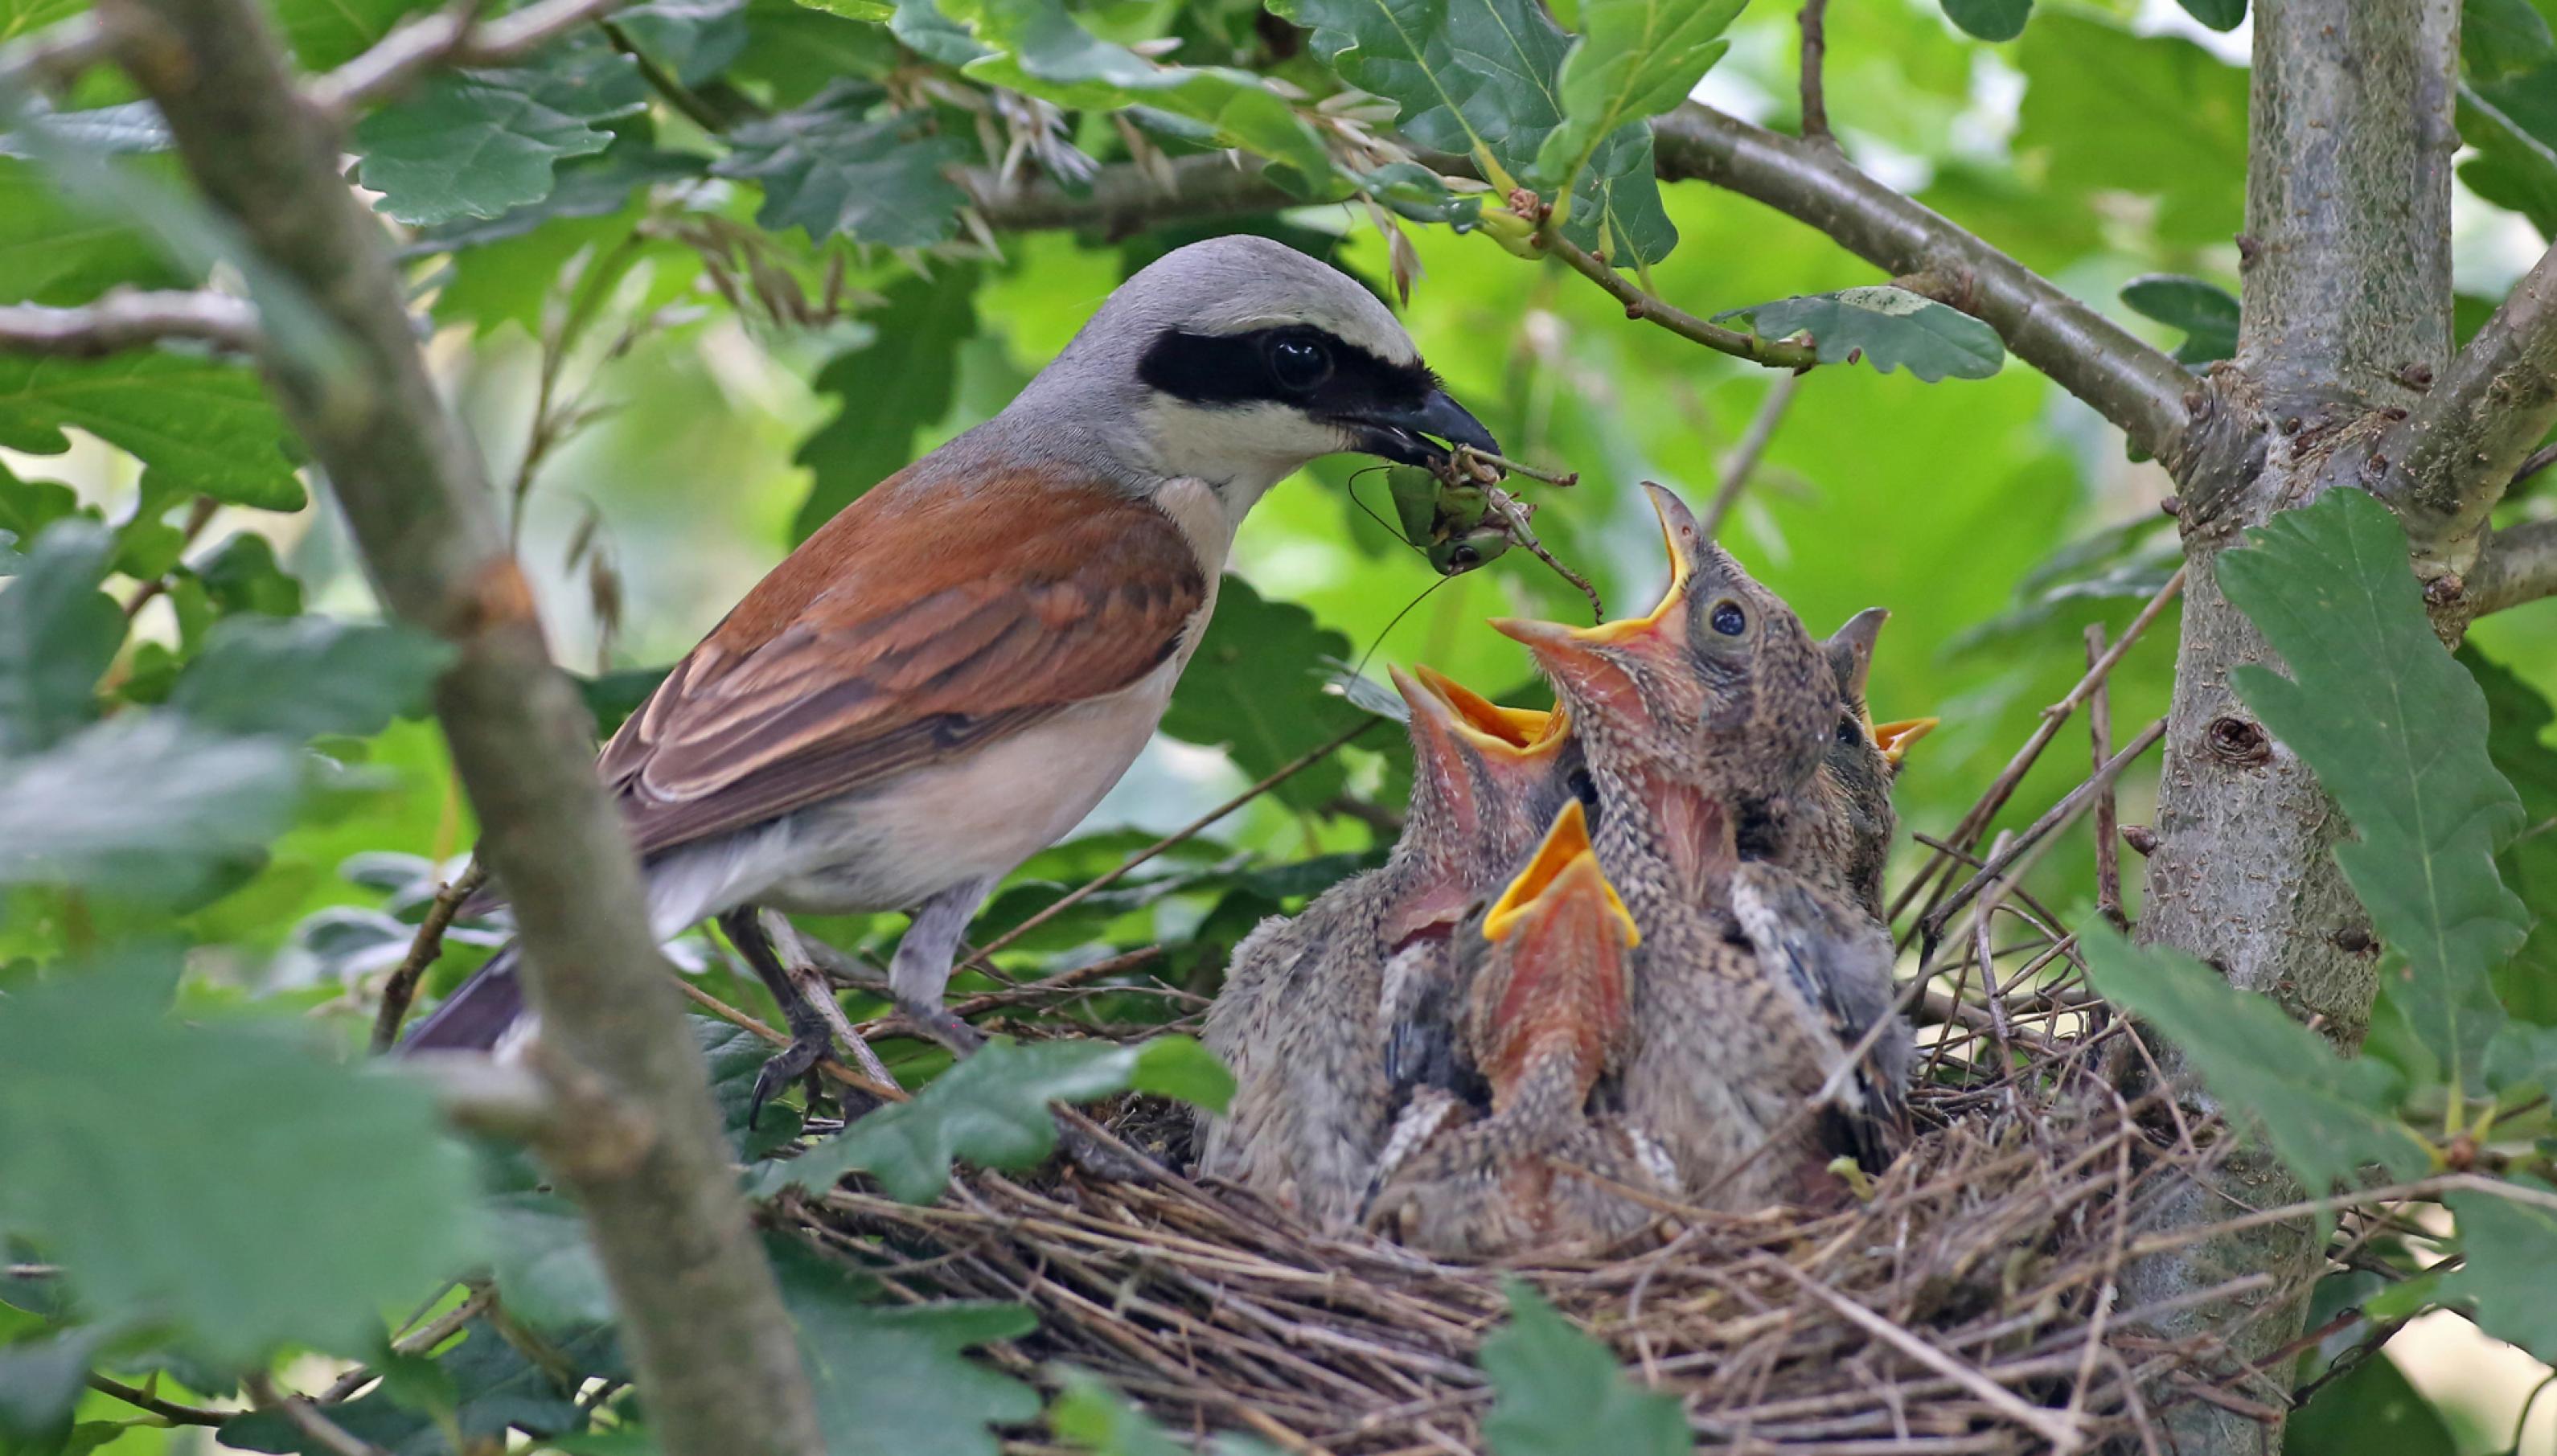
(2083, 352)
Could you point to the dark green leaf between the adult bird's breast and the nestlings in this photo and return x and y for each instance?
(1257, 692)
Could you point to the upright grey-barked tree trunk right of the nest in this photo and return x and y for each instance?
(2346, 308)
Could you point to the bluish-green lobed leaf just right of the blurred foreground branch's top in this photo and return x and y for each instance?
(485, 142)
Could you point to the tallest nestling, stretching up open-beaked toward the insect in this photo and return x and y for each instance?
(1704, 728)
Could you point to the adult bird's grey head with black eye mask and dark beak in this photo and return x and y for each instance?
(1241, 360)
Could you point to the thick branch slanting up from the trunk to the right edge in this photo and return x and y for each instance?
(2469, 439)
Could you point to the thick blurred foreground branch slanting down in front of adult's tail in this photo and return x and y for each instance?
(699, 1309)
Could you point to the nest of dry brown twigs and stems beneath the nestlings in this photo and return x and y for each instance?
(1968, 1306)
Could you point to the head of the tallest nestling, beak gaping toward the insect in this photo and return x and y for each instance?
(1717, 692)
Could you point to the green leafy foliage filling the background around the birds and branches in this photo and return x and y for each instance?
(694, 319)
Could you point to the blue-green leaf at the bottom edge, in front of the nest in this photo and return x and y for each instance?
(1561, 1393)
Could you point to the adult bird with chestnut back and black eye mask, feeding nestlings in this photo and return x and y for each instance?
(952, 672)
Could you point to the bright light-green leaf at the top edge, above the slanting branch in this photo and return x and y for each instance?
(1633, 63)
